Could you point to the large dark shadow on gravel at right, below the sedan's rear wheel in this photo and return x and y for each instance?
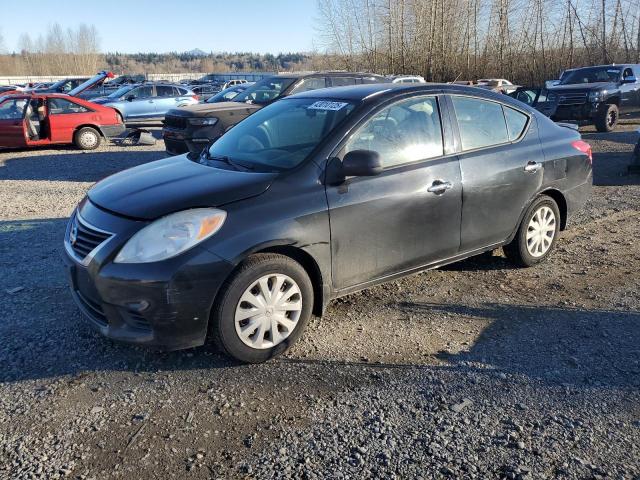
(579, 347)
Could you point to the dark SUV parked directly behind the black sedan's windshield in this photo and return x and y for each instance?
(190, 129)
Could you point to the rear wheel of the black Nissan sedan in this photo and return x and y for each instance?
(529, 252)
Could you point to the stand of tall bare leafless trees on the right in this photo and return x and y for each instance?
(527, 41)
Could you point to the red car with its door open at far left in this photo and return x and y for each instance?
(30, 120)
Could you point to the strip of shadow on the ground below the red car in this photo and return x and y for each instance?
(73, 166)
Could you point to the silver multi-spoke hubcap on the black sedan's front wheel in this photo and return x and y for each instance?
(268, 311)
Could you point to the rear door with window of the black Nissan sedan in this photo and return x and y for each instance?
(502, 167)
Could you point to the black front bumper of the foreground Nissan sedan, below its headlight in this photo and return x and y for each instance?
(164, 304)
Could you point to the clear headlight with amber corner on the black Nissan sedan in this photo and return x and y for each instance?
(171, 235)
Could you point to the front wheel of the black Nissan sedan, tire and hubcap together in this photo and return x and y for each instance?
(240, 295)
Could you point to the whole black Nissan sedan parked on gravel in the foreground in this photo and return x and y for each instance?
(313, 197)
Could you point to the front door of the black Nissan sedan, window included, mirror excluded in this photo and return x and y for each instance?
(409, 215)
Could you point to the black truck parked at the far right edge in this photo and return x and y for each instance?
(598, 95)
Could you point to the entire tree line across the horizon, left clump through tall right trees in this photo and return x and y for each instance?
(527, 41)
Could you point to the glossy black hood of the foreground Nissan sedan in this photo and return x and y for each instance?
(158, 188)
